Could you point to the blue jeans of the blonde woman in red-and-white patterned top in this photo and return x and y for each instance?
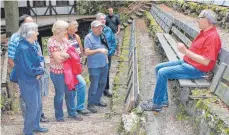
(61, 89)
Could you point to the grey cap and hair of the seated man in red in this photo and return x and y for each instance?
(210, 15)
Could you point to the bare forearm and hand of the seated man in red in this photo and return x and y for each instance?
(197, 58)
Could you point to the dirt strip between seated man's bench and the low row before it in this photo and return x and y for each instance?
(164, 123)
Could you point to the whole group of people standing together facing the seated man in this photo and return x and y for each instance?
(65, 50)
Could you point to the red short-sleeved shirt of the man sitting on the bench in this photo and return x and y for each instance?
(206, 44)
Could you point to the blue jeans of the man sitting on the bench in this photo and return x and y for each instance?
(172, 70)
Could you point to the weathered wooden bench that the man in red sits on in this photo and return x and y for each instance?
(184, 32)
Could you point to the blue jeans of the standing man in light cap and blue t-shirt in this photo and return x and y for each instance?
(98, 79)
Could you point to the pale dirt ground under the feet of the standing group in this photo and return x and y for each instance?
(96, 124)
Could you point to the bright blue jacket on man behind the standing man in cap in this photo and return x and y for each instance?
(110, 37)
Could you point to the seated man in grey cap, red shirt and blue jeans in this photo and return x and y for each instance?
(199, 59)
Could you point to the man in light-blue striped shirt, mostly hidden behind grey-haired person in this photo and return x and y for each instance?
(12, 47)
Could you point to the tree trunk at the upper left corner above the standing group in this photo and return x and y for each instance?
(11, 16)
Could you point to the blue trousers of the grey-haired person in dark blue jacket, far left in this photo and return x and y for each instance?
(31, 95)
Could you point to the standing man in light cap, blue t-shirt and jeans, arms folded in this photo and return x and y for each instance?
(96, 53)
